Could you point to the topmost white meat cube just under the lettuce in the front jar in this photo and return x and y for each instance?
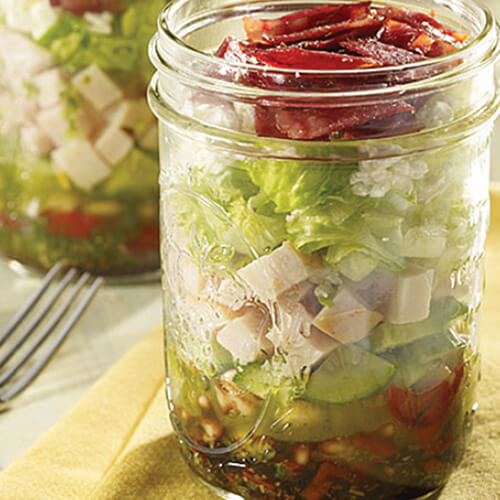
(272, 274)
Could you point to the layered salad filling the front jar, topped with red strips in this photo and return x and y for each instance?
(321, 314)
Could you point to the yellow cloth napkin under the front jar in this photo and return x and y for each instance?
(117, 443)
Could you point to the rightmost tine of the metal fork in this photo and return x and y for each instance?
(40, 364)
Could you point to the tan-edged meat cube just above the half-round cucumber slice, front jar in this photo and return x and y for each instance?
(349, 320)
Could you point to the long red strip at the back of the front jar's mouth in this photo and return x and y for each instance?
(258, 29)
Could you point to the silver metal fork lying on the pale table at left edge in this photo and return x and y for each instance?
(13, 379)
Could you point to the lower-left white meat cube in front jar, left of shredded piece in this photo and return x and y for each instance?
(243, 336)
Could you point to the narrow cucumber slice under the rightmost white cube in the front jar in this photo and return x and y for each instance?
(388, 336)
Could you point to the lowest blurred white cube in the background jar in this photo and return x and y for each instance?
(81, 163)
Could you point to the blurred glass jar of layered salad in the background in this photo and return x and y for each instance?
(78, 143)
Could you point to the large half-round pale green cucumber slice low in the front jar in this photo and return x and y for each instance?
(349, 374)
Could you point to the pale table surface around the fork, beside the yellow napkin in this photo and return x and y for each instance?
(119, 317)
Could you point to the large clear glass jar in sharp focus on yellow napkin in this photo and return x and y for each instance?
(321, 296)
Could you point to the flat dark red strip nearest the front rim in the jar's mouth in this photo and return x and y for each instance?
(298, 58)
